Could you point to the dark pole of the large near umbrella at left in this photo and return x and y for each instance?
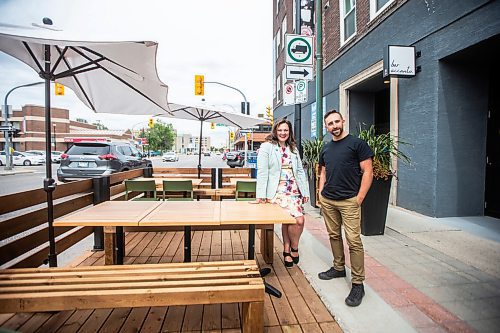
(49, 183)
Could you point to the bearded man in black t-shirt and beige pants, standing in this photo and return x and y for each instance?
(345, 178)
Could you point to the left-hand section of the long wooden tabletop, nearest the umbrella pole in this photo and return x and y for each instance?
(110, 213)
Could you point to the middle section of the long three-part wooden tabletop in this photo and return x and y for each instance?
(184, 213)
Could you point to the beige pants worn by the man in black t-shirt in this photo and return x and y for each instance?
(348, 213)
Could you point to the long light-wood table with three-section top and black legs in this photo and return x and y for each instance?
(112, 215)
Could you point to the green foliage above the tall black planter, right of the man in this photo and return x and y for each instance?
(384, 147)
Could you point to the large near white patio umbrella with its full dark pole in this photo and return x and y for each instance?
(108, 76)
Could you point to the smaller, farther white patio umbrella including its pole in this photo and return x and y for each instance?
(212, 114)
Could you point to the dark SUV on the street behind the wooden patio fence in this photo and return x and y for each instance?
(92, 159)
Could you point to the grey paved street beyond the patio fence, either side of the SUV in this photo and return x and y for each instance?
(28, 178)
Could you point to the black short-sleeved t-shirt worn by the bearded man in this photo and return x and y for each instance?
(343, 174)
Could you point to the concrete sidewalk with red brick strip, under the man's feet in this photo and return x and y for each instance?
(423, 275)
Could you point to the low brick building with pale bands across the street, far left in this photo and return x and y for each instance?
(30, 120)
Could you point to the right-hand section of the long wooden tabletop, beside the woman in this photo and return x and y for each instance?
(244, 212)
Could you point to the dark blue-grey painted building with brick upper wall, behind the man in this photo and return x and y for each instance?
(448, 111)
